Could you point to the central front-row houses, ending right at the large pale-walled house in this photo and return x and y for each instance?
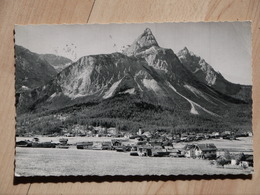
(153, 148)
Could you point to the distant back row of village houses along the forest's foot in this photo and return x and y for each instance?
(176, 136)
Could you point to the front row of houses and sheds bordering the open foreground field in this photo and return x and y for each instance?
(151, 148)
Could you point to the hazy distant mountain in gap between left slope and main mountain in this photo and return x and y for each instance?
(57, 62)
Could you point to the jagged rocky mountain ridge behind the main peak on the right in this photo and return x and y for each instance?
(206, 74)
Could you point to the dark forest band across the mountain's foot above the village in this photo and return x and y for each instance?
(129, 114)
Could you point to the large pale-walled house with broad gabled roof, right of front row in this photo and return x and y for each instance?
(205, 151)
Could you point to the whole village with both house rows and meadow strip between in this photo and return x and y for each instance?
(146, 144)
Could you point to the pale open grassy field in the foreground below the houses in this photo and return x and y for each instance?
(60, 162)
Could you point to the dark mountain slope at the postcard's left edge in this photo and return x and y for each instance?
(31, 70)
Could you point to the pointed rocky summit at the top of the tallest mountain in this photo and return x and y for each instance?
(144, 41)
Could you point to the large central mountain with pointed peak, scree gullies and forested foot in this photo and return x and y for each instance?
(145, 85)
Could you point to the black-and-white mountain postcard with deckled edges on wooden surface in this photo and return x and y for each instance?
(133, 99)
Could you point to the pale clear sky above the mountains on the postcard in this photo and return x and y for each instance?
(226, 46)
